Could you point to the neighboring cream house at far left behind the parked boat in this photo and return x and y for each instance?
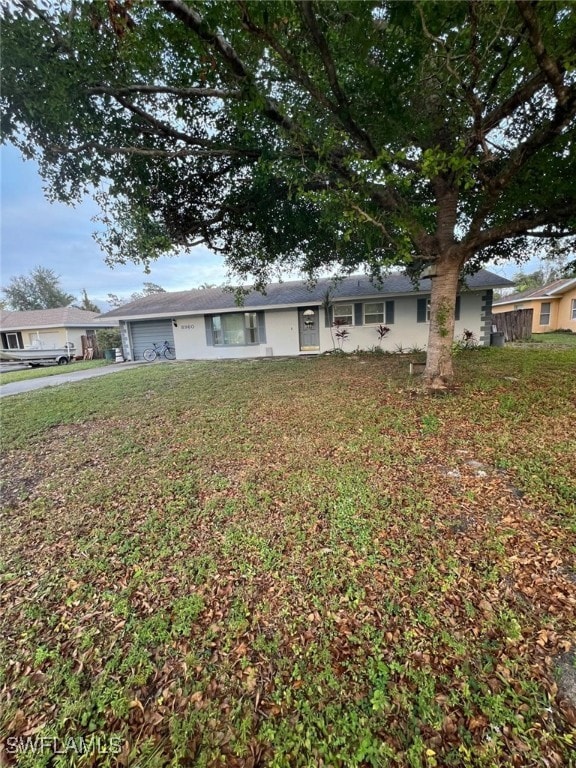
(49, 328)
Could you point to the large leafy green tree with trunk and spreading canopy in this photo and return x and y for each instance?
(422, 134)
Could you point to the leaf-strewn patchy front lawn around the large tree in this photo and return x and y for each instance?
(290, 563)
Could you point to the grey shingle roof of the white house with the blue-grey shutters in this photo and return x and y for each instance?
(291, 293)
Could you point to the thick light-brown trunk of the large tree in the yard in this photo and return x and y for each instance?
(439, 372)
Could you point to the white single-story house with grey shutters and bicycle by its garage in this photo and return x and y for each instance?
(291, 318)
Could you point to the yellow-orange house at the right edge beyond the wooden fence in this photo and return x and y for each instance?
(553, 306)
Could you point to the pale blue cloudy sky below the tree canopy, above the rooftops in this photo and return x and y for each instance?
(35, 232)
